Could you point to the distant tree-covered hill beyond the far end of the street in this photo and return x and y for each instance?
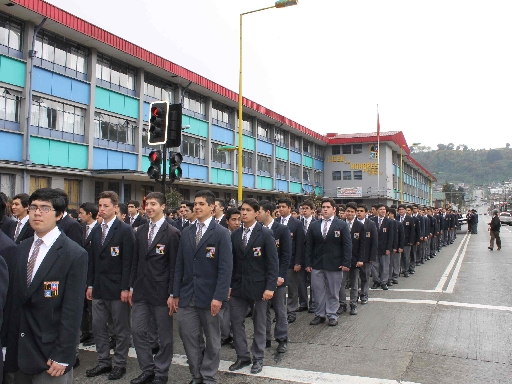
(471, 166)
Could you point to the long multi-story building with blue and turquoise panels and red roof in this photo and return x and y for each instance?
(87, 130)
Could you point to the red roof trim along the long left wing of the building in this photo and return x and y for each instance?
(67, 19)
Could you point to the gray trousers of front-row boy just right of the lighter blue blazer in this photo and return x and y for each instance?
(259, 317)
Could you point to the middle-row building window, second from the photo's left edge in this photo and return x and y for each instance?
(56, 115)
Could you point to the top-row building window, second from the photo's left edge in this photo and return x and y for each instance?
(61, 51)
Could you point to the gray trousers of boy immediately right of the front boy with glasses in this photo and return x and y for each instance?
(120, 312)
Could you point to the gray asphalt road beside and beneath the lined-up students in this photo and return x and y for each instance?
(449, 323)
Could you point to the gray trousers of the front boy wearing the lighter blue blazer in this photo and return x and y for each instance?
(191, 321)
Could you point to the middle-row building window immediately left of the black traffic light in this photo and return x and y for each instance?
(113, 128)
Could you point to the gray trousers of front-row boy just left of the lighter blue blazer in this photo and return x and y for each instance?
(142, 312)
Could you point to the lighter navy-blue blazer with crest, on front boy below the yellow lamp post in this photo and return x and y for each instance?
(205, 270)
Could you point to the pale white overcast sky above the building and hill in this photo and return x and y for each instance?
(440, 71)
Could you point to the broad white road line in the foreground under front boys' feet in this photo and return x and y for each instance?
(284, 374)
